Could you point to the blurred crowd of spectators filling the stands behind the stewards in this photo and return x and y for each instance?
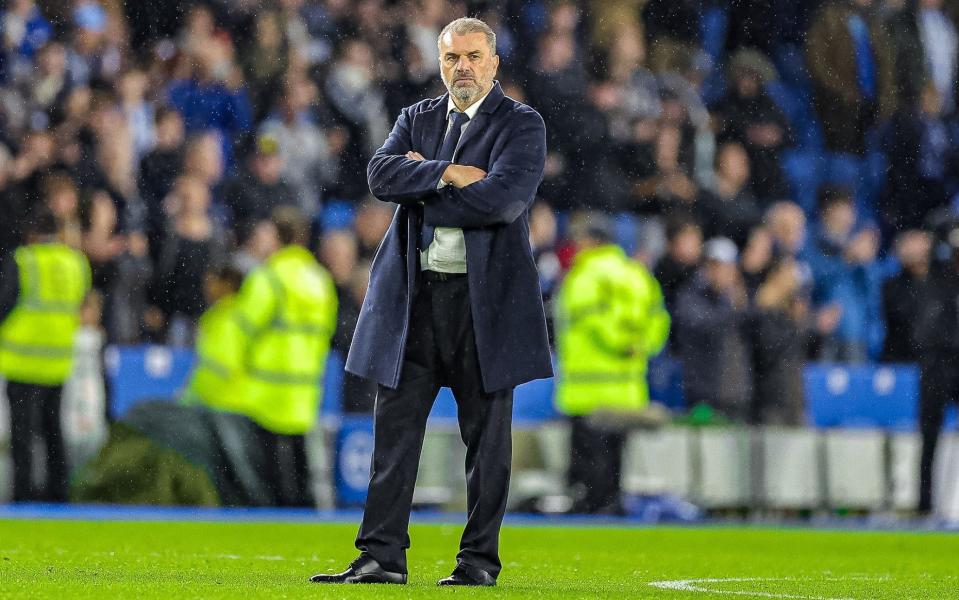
(787, 169)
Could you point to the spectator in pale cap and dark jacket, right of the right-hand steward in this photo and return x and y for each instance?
(711, 313)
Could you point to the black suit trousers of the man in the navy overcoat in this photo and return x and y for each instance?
(440, 351)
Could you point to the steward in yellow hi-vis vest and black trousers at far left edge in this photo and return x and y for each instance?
(43, 286)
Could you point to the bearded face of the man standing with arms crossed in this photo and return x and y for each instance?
(467, 65)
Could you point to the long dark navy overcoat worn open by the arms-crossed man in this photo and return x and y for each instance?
(507, 139)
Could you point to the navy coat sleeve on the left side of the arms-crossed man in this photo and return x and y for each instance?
(394, 178)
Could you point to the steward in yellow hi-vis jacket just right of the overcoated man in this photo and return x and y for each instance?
(610, 318)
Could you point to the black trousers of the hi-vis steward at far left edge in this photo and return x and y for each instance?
(35, 413)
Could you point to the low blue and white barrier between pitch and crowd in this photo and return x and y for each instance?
(860, 453)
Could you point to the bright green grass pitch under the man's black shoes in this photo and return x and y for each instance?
(79, 559)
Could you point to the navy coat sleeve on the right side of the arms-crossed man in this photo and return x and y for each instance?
(508, 189)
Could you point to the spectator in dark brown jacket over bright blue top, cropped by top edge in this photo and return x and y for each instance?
(850, 61)
